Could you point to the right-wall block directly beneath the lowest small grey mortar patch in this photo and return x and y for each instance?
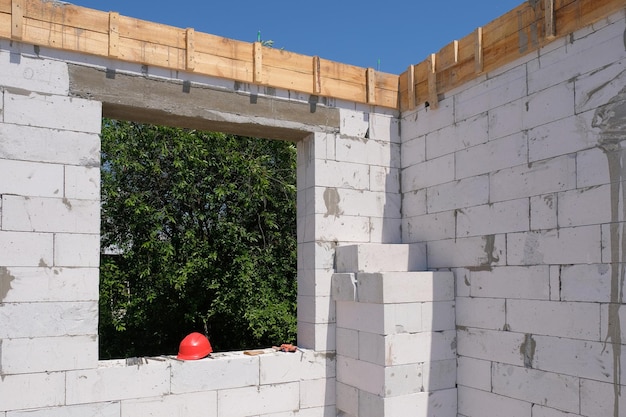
(545, 388)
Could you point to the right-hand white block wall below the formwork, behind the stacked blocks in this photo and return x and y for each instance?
(516, 185)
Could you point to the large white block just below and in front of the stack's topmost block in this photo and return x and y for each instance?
(405, 287)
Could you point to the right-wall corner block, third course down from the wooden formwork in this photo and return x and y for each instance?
(428, 173)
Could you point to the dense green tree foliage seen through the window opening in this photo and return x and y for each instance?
(203, 231)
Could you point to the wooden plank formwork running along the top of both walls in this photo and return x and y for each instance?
(524, 29)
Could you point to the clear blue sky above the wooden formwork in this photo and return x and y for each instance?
(398, 33)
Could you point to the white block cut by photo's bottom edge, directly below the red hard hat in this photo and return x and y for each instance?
(182, 405)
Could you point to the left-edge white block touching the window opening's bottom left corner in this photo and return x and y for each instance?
(48, 354)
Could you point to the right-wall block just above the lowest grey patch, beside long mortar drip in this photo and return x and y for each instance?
(573, 320)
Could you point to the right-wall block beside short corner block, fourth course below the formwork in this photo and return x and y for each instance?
(458, 194)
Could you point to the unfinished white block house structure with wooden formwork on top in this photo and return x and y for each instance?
(461, 226)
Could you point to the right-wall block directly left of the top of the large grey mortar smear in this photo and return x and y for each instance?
(577, 130)
